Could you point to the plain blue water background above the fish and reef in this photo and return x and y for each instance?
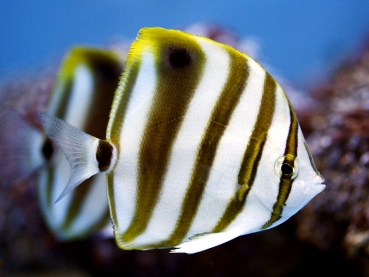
(297, 38)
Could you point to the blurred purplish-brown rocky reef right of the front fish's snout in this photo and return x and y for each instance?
(339, 139)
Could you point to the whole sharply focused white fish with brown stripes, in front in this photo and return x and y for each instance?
(202, 146)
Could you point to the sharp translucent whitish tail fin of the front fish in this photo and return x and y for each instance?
(78, 147)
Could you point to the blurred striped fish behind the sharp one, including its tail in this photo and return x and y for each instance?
(82, 95)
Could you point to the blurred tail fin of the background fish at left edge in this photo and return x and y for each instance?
(20, 147)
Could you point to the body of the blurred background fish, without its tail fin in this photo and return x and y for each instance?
(82, 96)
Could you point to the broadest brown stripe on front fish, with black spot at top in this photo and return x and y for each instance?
(180, 67)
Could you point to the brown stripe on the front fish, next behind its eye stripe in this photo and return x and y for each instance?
(253, 153)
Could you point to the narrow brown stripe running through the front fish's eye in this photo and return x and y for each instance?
(285, 184)
